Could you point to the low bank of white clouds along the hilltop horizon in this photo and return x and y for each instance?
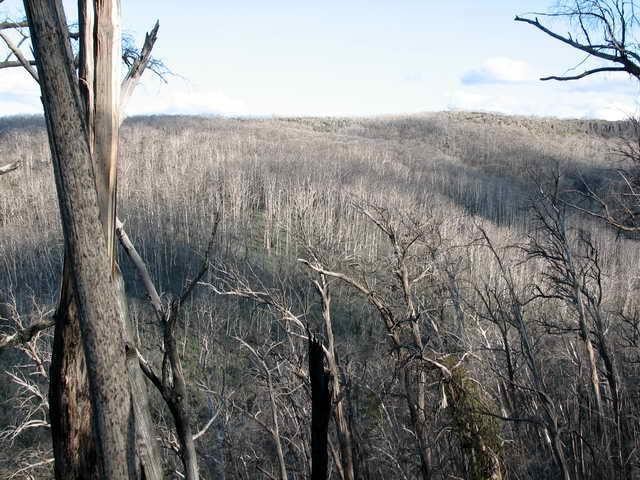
(510, 92)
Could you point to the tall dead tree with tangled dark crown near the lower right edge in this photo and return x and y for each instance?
(574, 276)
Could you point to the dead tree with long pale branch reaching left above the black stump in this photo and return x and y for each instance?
(402, 311)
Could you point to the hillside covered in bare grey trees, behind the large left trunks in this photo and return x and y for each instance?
(476, 324)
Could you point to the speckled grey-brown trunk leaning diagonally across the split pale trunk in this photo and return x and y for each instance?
(99, 309)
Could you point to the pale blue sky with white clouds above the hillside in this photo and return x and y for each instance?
(348, 58)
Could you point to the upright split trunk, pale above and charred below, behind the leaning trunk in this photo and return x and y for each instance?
(99, 83)
